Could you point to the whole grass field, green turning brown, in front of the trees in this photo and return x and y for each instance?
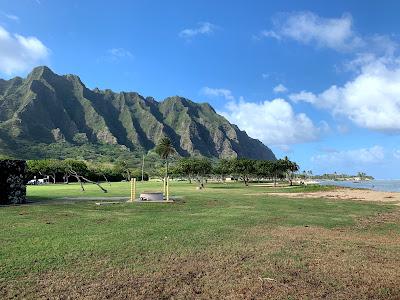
(227, 241)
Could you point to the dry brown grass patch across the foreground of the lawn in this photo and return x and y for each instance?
(273, 263)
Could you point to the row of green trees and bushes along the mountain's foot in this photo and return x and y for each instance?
(193, 168)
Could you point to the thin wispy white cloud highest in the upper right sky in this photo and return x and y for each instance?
(309, 28)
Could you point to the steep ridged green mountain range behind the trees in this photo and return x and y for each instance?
(45, 114)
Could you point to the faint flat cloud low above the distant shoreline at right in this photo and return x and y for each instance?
(363, 156)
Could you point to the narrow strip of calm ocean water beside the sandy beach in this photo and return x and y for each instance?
(376, 185)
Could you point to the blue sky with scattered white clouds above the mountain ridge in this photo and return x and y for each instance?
(318, 81)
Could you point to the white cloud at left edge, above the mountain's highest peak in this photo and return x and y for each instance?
(19, 53)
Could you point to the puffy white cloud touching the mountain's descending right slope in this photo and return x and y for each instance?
(273, 122)
